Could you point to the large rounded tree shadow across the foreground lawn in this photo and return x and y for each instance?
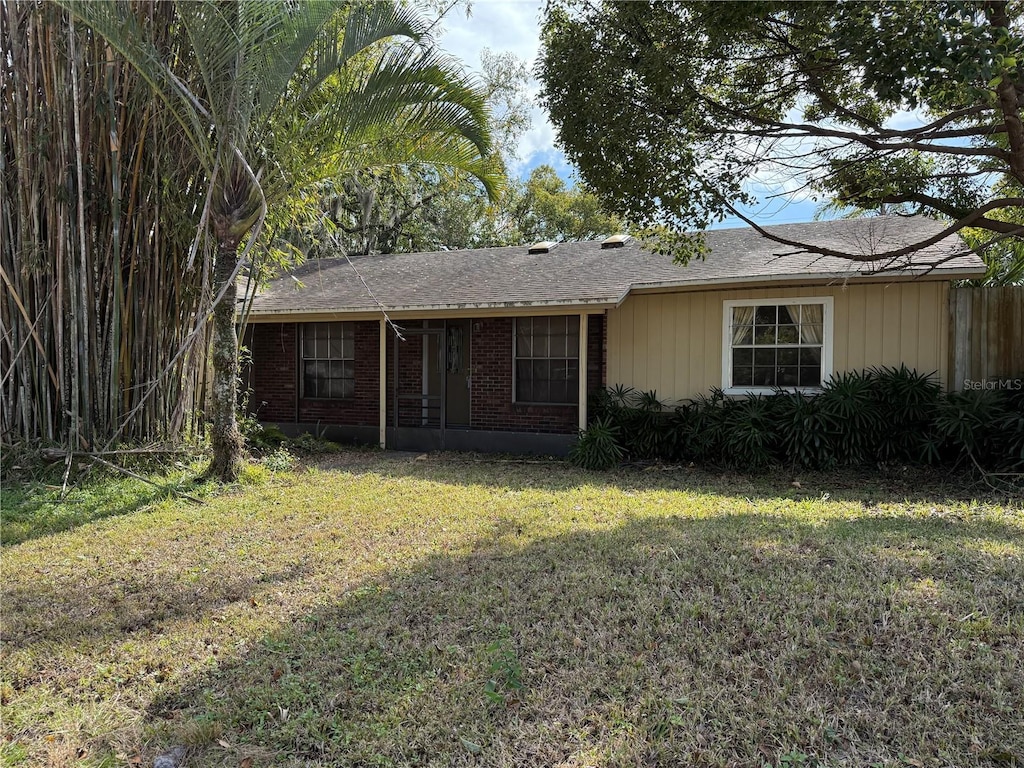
(735, 641)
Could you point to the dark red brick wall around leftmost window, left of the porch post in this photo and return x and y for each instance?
(275, 378)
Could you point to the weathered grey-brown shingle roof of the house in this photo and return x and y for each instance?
(584, 274)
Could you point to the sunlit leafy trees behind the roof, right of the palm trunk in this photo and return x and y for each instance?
(414, 207)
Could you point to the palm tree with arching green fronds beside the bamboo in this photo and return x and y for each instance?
(271, 95)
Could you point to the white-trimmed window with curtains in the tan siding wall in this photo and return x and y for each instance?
(784, 345)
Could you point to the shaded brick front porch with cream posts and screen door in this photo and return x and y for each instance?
(435, 383)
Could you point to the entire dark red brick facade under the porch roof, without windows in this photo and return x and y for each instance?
(275, 379)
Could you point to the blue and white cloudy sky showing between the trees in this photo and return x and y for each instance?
(514, 26)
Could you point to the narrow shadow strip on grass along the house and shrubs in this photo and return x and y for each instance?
(887, 485)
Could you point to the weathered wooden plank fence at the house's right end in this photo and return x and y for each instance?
(987, 337)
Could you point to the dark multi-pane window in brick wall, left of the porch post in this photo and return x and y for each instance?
(328, 361)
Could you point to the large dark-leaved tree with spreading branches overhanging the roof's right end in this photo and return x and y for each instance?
(671, 110)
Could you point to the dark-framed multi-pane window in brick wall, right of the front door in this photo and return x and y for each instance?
(546, 355)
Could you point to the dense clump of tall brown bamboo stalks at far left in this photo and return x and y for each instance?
(92, 330)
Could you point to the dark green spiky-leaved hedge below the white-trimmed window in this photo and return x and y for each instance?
(868, 417)
